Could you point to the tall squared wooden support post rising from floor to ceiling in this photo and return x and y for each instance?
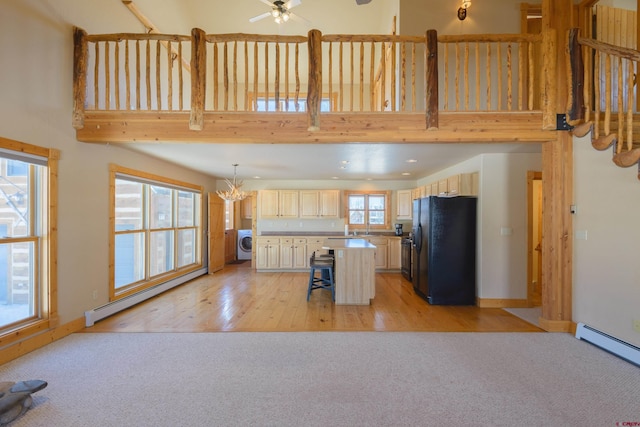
(557, 176)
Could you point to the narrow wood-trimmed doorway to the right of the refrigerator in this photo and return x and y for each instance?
(534, 238)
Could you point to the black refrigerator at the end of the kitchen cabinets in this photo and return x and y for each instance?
(444, 249)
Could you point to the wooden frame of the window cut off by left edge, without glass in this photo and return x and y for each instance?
(43, 232)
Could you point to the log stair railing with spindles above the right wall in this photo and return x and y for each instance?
(603, 96)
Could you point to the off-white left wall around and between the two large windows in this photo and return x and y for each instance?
(35, 108)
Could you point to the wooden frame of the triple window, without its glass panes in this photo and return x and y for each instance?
(148, 180)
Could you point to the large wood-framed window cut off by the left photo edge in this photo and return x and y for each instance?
(27, 238)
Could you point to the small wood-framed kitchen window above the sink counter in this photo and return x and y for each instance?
(368, 210)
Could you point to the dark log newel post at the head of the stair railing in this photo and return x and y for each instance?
(575, 67)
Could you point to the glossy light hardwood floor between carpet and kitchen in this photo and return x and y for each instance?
(239, 299)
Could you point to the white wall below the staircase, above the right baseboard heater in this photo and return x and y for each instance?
(606, 278)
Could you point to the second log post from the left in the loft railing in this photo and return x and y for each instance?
(198, 78)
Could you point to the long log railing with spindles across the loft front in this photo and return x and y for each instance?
(313, 75)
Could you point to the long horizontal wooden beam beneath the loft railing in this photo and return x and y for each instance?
(273, 127)
